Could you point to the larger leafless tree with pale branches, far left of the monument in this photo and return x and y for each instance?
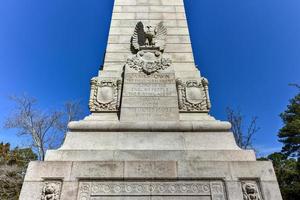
(39, 125)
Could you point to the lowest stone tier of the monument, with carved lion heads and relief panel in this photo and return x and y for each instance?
(139, 180)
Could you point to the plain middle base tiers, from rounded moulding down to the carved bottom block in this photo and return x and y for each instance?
(90, 140)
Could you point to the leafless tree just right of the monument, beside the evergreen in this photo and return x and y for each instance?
(243, 137)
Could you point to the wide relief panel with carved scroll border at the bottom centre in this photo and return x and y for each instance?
(92, 190)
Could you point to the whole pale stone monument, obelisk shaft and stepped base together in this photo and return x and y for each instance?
(149, 134)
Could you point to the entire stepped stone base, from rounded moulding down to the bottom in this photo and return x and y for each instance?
(191, 160)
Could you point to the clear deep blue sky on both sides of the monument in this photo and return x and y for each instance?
(249, 51)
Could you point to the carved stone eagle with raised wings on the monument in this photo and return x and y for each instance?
(149, 37)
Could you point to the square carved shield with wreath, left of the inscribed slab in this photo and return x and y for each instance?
(105, 95)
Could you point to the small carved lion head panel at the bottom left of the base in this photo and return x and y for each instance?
(51, 191)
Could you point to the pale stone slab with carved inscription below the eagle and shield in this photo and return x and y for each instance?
(149, 97)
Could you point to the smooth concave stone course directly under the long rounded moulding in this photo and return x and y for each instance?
(150, 141)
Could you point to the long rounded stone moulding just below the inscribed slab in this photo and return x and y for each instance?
(188, 126)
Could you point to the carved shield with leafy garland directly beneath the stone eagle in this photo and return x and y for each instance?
(148, 61)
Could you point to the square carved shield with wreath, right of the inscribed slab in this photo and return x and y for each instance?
(193, 95)
